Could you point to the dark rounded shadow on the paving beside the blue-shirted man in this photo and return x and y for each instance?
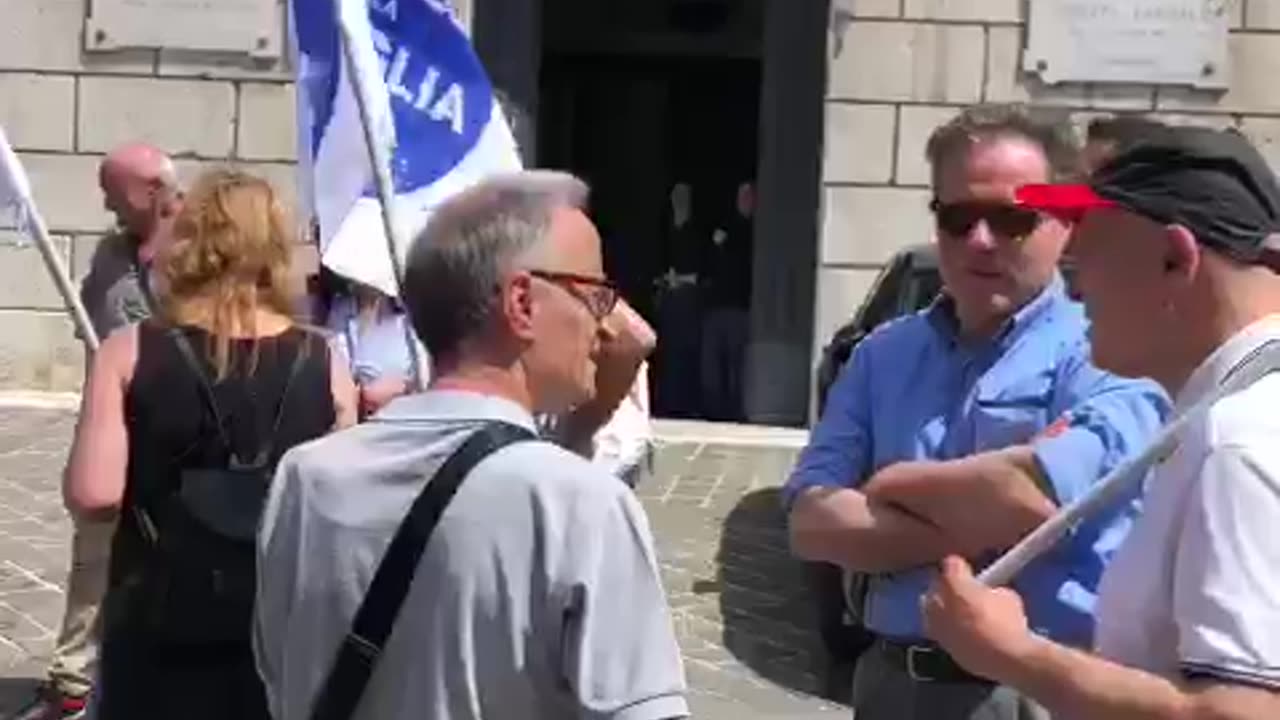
(771, 623)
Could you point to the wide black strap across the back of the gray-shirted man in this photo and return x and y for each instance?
(360, 650)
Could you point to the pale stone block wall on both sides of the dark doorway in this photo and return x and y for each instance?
(895, 69)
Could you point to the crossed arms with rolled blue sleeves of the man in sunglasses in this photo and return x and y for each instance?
(916, 513)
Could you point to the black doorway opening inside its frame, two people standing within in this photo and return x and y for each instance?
(636, 101)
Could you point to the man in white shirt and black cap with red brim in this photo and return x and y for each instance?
(1178, 257)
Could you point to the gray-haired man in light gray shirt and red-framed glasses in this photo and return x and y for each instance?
(538, 595)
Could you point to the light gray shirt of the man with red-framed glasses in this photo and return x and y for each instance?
(538, 598)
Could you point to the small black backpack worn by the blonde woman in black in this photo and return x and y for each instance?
(198, 584)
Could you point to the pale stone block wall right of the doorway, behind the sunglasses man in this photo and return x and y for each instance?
(902, 67)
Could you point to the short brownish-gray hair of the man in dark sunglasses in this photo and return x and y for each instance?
(1046, 129)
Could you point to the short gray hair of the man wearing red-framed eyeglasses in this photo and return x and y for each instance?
(458, 262)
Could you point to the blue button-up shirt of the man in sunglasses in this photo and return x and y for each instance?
(916, 390)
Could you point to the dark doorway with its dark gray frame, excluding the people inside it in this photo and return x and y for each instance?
(615, 76)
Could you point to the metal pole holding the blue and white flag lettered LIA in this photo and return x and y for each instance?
(381, 160)
